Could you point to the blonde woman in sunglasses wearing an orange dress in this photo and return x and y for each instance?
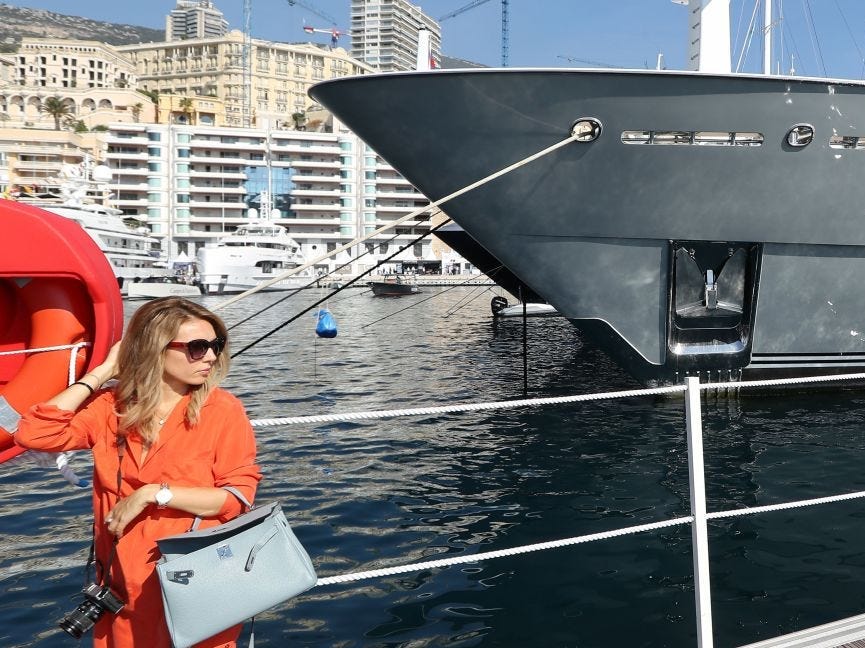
(171, 437)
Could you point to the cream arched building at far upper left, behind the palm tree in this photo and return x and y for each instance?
(94, 81)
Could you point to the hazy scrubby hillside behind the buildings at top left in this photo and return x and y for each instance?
(17, 22)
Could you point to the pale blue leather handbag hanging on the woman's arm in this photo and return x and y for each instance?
(218, 577)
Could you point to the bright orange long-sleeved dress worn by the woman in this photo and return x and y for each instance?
(218, 451)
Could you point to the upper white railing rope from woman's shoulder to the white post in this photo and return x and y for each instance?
(467, 407)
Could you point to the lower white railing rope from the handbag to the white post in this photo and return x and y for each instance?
(489, 555)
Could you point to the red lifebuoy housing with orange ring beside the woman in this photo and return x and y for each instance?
(56, 289)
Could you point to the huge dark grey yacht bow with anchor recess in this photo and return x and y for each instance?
(689, 222)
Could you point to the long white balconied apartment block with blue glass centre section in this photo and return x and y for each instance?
(192, 185)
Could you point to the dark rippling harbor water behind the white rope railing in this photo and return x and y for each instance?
(366, 495)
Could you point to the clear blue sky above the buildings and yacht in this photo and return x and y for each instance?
(546, 33)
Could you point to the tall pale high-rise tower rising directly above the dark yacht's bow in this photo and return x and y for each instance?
(384, 34)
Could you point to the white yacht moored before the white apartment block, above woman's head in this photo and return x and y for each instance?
(254, 253)
